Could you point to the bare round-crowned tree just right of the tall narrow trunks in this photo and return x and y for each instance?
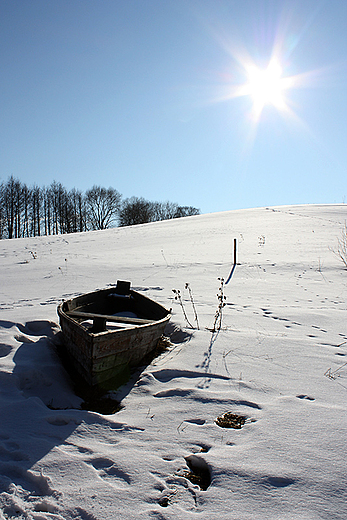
(102, 207)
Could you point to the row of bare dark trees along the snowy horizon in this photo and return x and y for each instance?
(52, 210)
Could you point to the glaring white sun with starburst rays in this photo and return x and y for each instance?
(267, 77)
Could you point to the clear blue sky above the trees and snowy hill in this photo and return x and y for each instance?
(145, 96)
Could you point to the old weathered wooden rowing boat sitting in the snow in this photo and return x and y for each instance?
(107, 332)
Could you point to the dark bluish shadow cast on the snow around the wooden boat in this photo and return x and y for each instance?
(49, 400)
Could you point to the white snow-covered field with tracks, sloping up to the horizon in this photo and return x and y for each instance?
(279, 360)
